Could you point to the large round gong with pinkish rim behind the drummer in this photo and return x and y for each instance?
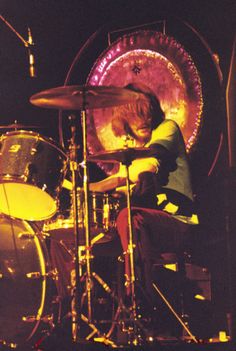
(161, 63)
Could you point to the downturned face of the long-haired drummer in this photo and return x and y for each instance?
(141, 128)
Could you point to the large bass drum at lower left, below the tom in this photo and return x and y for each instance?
(24, 287)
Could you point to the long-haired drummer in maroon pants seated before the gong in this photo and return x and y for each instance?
(162, 198)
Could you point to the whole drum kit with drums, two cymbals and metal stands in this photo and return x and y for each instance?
(32, 174)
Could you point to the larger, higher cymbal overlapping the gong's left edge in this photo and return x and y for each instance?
(77, 97)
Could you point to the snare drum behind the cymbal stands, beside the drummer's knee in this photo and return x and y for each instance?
(103, 210)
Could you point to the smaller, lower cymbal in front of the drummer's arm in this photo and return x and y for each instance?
(120, 155)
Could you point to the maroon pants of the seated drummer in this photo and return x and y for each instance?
(154, 232)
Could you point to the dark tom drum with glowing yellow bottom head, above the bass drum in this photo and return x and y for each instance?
(32, 169)
